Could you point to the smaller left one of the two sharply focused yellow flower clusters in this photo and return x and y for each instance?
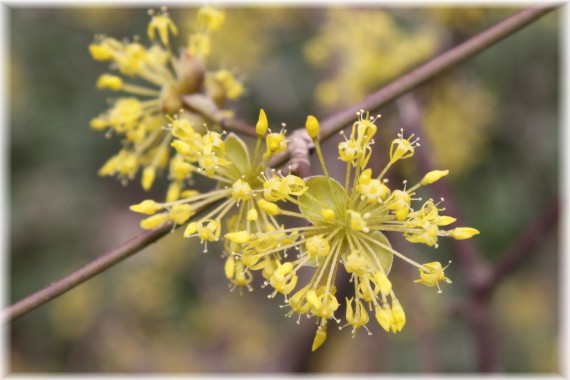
(241, 180)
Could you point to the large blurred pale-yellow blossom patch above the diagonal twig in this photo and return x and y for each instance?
(361, 49)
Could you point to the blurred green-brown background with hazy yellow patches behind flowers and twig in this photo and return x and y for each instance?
(493, 121)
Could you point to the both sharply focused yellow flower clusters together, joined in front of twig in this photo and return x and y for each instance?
(347, 223)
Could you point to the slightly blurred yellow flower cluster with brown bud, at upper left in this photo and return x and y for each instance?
(139, 116)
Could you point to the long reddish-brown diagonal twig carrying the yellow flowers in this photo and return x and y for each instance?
(328, 127)
